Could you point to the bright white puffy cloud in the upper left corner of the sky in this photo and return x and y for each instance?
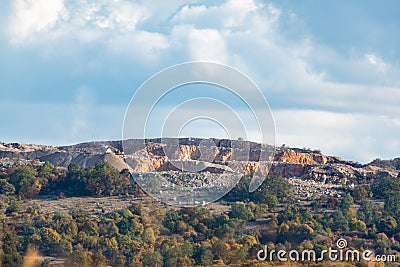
(56, 19)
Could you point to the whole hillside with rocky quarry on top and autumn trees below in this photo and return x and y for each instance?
(90, 214)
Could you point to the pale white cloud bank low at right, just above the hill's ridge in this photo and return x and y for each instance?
(351, 135)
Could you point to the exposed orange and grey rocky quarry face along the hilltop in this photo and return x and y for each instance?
(190, 154)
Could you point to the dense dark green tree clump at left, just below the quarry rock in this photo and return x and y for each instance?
(28, 182)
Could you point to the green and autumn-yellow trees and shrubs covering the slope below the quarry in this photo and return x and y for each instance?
(148, 234)
